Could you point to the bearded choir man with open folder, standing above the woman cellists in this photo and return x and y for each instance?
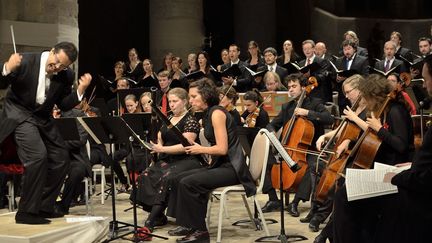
(350, 61)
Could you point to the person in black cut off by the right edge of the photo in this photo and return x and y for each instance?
(411, 221)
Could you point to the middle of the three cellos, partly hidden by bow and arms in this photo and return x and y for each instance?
(335, 166)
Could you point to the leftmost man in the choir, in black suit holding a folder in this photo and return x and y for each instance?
(243, 82)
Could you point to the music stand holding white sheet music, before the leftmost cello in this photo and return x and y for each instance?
(283, 156)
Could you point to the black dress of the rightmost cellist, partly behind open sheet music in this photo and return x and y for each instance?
(397, 140)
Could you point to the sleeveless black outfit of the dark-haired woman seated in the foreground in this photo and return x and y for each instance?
(194, 186)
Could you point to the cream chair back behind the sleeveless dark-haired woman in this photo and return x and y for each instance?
(259, 156)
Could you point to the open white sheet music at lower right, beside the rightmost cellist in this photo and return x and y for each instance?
(362, 183)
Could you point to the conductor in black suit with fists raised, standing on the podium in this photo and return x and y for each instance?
(37, 82)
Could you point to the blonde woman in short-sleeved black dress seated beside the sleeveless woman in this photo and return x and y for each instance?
(155, 183)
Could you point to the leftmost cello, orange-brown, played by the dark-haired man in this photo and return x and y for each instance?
(297, 135)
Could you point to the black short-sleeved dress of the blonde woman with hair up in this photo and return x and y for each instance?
(155, 183)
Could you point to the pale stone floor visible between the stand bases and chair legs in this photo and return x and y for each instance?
(230, 234)
